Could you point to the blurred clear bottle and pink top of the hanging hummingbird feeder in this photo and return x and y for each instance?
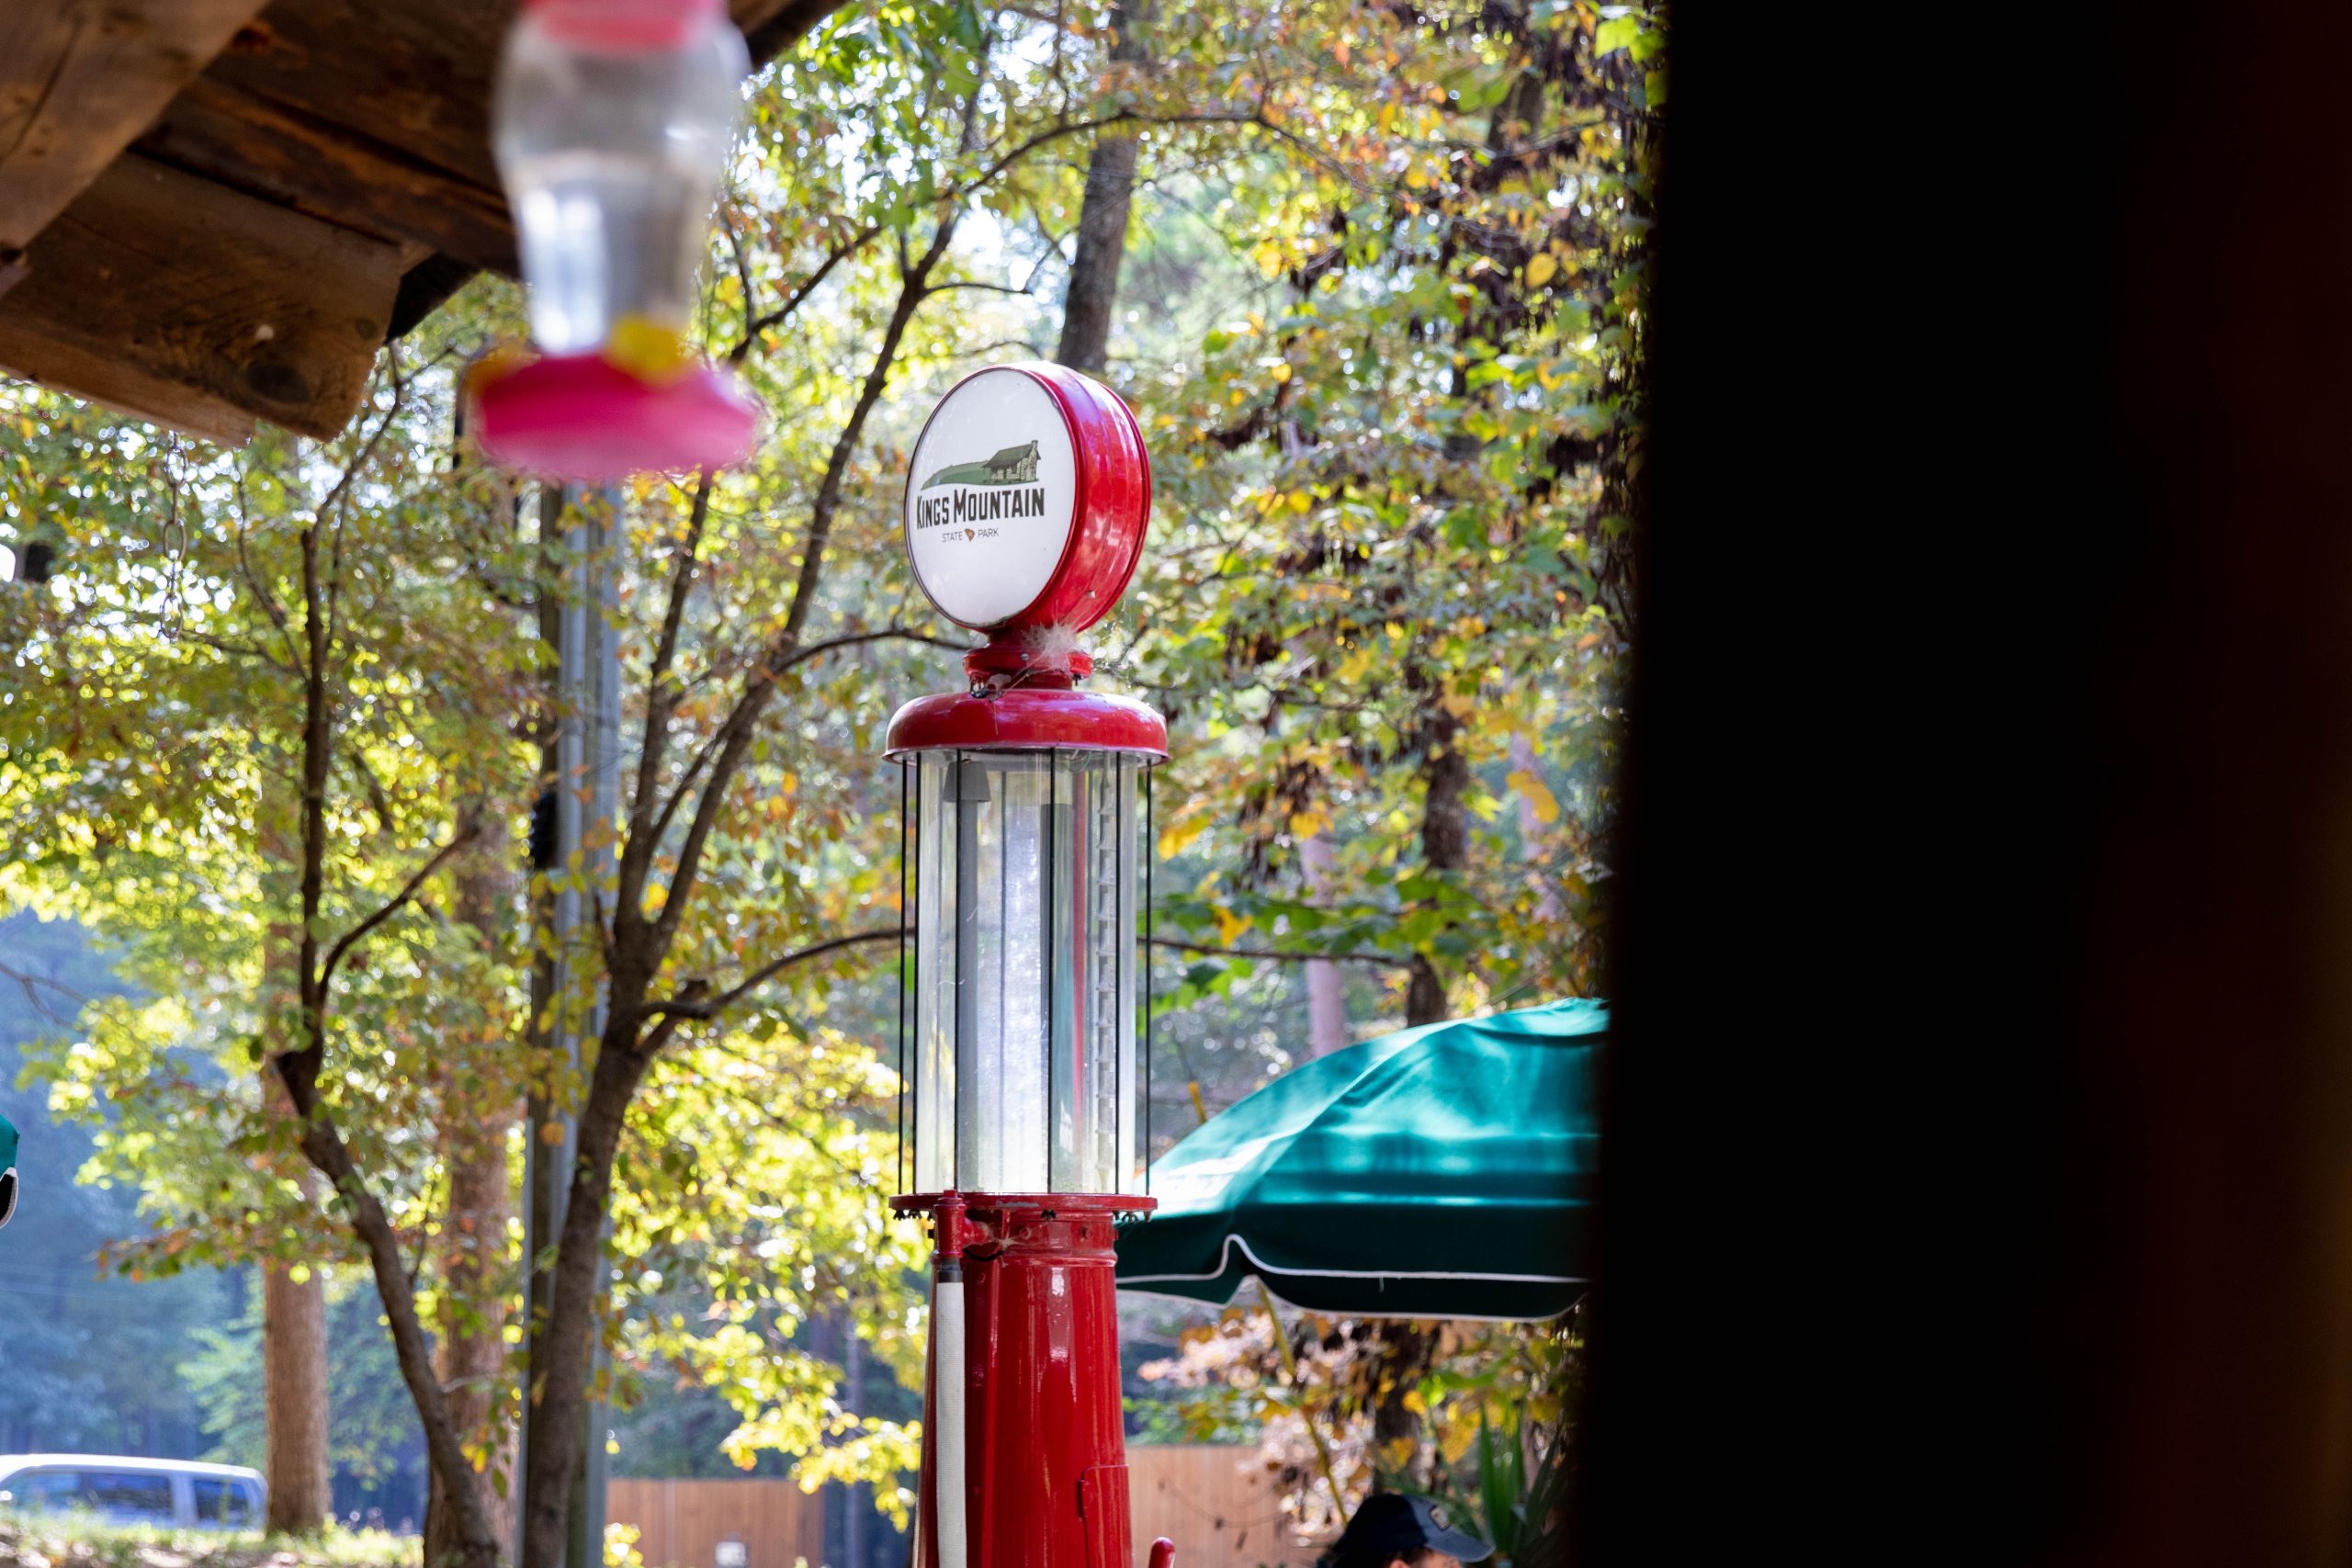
(615, 119)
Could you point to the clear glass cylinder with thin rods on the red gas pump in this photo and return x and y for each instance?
(1024, 1010)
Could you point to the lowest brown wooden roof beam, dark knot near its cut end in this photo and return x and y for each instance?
(159, 281)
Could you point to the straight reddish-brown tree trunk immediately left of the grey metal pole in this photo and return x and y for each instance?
(472, 1332)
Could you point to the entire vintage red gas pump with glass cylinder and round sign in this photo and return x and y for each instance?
(1027, 507)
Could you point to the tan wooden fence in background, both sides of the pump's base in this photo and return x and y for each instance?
(1215, 1503)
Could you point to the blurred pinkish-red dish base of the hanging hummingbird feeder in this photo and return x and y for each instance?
(580, 417)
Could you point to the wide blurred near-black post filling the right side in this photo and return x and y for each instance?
(1979, 1151)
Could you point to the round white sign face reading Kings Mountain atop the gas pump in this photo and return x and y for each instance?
(991, 497)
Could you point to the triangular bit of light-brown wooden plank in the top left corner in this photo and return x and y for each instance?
(81, 79)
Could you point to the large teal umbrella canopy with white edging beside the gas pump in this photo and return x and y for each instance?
(1438, 1172)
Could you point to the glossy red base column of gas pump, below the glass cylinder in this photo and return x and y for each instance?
(1045, 1459)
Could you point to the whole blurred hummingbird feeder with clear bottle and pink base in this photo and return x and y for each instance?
(613, 130)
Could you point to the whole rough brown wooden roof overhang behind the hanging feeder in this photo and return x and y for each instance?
(208, 206)
